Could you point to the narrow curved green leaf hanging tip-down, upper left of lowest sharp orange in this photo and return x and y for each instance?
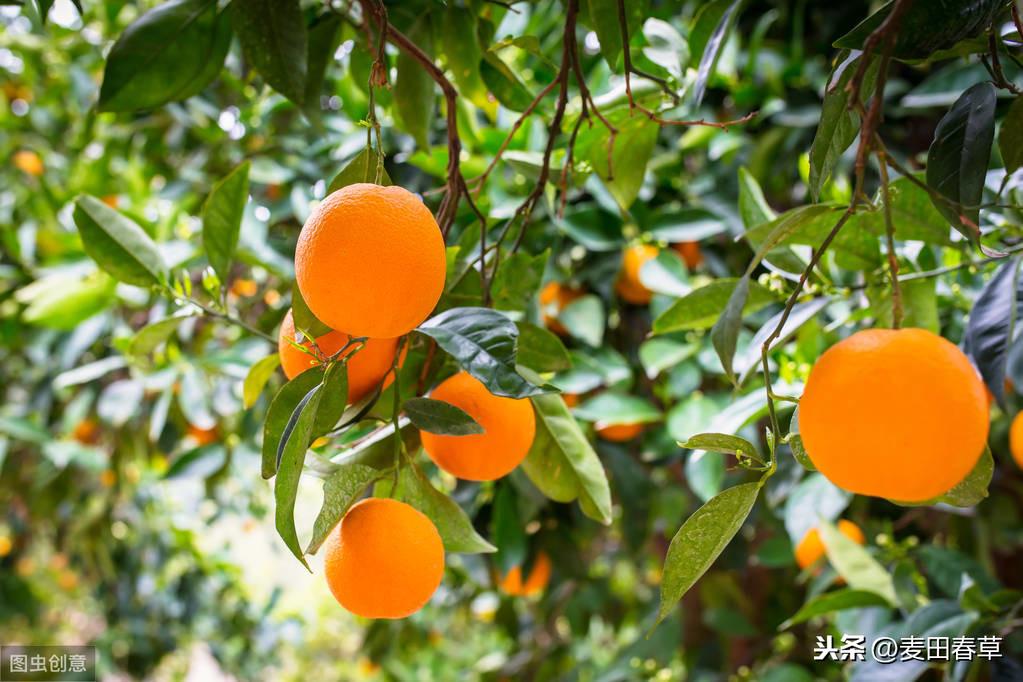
(293, 458)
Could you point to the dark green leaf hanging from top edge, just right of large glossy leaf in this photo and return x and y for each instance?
(275, 40)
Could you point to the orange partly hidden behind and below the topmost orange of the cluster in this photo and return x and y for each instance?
(366, 369)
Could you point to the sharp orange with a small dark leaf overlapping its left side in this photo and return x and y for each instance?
(509, 427)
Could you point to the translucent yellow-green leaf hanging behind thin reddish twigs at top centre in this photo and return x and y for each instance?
(633, 149)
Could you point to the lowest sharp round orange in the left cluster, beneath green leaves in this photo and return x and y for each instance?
(384, 560)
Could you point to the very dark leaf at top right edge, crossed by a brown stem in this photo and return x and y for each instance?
(927, 27)
